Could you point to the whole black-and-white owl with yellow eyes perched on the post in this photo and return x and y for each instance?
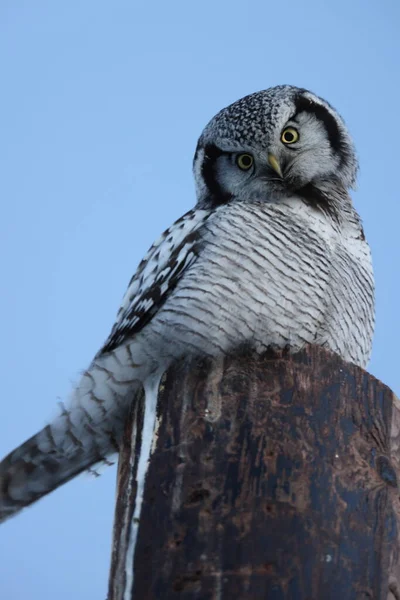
(272, 254)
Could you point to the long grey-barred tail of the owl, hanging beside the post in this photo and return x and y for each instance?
(83, 434)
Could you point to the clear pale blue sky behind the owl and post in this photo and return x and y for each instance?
(101, 104)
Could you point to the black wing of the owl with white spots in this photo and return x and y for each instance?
(156, 276)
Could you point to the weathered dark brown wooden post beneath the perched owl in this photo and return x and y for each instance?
(271, 477)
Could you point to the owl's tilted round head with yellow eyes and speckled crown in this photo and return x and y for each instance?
(274, 143)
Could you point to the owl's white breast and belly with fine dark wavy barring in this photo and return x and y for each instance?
(270, 274)
